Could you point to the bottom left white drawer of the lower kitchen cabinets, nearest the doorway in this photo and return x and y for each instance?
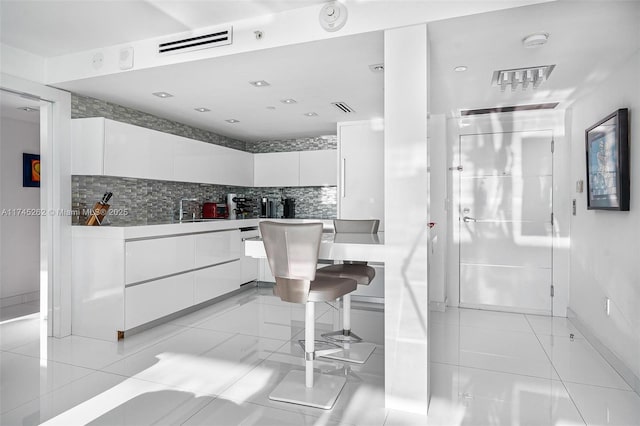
(155, 299)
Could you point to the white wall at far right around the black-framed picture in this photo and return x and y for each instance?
(605, 245)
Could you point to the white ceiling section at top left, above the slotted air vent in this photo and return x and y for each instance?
(56, 27)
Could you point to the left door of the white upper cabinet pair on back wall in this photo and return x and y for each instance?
(276, 169)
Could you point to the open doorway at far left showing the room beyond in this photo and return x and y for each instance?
(20, 292)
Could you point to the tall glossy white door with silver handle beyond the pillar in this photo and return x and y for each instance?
(506, 221)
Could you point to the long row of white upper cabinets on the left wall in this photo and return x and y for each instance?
(106, 147)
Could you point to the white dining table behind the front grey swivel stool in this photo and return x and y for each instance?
(342, 246)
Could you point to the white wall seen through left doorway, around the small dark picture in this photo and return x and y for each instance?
(20, 242)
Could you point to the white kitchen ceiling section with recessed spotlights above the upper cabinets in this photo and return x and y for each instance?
(314, 74)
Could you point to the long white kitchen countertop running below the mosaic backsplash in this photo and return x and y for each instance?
(163, 230)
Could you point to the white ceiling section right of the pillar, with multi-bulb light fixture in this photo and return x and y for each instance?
(587, 41)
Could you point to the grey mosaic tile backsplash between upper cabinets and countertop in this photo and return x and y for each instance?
(148, 202)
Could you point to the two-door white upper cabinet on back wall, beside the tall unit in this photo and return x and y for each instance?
(301, 168)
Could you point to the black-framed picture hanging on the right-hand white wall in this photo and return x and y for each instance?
(607, 144)
